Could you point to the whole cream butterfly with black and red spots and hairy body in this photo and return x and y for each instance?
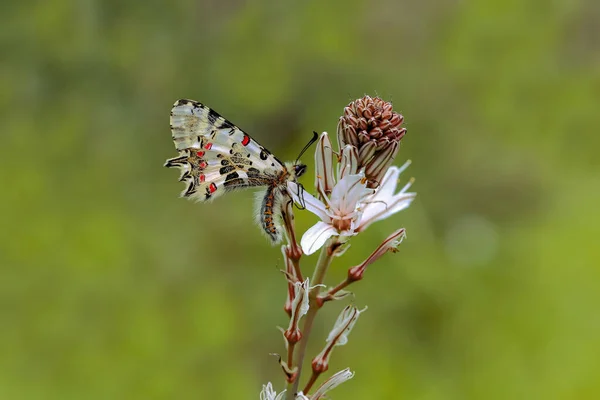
(216, 157)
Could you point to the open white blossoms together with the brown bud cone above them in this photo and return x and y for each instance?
(364, 188)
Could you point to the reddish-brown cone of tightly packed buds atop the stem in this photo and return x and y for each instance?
(371, 125)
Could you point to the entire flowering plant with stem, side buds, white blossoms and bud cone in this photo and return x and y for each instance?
(355, 186)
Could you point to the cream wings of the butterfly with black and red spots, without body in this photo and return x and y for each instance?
(215, 156)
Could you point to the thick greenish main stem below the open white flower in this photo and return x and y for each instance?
(318, 277)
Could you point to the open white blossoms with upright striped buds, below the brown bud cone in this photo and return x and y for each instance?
(349, 206)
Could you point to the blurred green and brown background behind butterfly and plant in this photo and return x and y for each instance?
(113, 288)
